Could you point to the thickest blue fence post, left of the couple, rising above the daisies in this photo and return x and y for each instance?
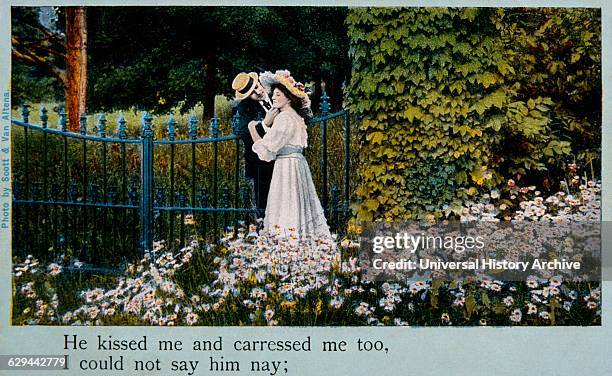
(146, 187)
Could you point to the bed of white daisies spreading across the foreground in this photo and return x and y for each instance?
(257, 280)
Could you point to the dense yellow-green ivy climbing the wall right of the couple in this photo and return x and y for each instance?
(429, 84)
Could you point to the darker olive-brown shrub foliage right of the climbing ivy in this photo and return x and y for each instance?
(556, 54)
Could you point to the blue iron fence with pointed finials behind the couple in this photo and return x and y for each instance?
(103, 199)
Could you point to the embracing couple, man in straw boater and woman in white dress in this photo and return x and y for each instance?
(274, 134)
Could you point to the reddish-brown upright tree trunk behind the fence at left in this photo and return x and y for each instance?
(76, 65)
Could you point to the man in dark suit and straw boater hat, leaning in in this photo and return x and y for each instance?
(253, 104)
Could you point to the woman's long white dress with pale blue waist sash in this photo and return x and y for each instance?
(293, 206)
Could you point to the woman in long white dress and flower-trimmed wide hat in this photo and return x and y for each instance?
(293, 206)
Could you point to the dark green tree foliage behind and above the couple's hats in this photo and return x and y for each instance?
(173, 64)
